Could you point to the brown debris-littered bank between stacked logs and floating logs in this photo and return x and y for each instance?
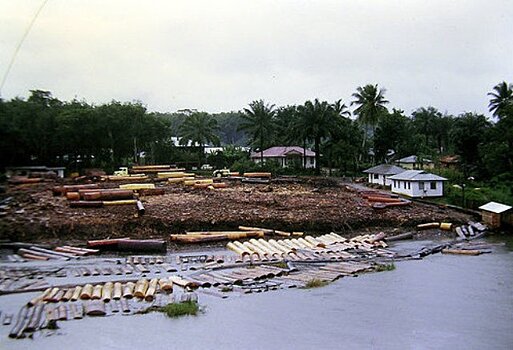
(313, 206)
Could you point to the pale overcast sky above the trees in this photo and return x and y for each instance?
(220, 55)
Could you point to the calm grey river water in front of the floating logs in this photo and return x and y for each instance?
(440, 302)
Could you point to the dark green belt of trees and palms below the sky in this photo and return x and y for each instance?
(44, 130)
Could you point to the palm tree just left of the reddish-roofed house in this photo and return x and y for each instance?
(258, 122)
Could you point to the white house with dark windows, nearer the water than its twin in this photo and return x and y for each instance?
(418, 183)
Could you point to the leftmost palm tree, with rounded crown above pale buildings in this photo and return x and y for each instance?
(199, 128)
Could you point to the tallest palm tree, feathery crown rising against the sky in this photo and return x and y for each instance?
(370, 104)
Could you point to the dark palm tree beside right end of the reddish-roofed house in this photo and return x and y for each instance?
(319, 120)
